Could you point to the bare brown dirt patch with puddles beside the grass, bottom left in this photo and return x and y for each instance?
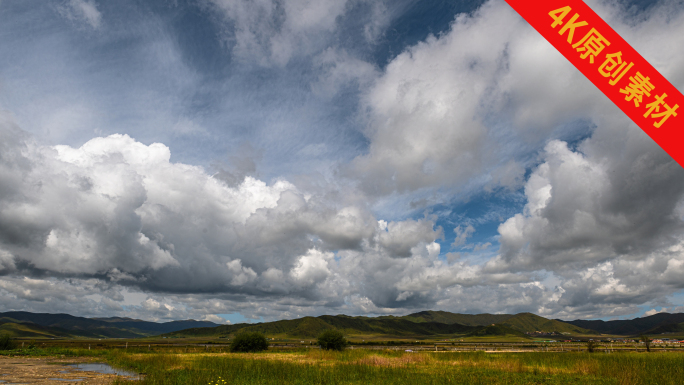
(24, 370)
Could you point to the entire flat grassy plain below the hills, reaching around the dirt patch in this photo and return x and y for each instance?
(166, 363)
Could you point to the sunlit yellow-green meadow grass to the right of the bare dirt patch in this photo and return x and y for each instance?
(313, 366)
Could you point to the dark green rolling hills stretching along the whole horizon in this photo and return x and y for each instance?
(423, 324)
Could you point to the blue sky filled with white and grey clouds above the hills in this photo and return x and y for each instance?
(257, 160)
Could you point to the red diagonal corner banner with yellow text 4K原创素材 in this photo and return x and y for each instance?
(613, 66)
